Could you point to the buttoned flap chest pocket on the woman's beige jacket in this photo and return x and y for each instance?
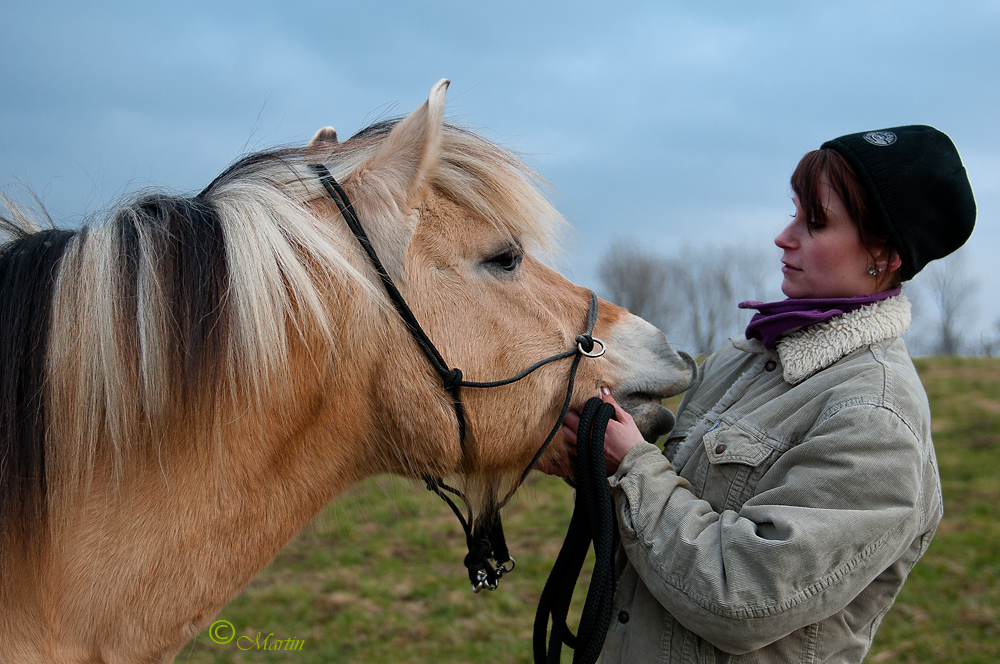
(737, 459)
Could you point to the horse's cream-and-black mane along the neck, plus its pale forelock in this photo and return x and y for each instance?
(173, 304)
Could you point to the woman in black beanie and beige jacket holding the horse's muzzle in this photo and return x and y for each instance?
(799, 486)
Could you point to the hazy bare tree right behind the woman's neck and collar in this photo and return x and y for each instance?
(951, 292)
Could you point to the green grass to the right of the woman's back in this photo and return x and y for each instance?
(947, 611)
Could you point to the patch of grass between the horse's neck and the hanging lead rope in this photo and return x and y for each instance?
(378, 577)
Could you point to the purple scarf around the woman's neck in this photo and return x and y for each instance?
(778, 318)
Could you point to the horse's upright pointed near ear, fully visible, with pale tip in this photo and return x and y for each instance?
(406, 157)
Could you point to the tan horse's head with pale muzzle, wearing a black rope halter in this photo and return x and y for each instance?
(464, 231)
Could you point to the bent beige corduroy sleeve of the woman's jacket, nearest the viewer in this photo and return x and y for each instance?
(828, 517)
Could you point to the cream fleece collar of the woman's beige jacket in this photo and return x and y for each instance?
(813, 348)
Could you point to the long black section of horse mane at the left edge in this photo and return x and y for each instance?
(28, 268)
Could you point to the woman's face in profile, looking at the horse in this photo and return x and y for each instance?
(824, 260)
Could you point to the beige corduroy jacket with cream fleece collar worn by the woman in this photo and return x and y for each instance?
(795, 494)
